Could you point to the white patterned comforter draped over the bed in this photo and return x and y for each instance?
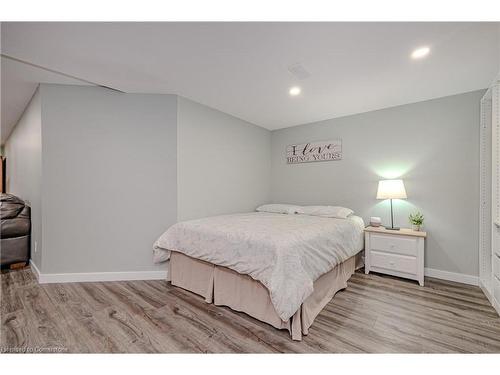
(286, 253)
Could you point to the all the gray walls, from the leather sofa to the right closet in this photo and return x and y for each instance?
(118, 169)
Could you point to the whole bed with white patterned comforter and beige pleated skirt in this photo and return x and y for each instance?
(279, 268)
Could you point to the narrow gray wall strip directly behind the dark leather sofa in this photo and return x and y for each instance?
(23, 149)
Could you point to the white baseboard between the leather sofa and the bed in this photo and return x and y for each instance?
(46, 278)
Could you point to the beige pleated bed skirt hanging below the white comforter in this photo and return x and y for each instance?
(225, 287)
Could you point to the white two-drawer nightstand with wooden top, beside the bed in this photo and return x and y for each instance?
(395, 252)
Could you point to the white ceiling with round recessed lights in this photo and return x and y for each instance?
(242, 68)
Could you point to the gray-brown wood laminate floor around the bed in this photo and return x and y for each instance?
(375, 314)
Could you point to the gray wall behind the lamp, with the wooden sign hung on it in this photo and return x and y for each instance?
(432, 146)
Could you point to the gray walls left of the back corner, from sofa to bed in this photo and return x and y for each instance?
(110, 172)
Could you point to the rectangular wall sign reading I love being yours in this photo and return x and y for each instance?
(314, 151)
